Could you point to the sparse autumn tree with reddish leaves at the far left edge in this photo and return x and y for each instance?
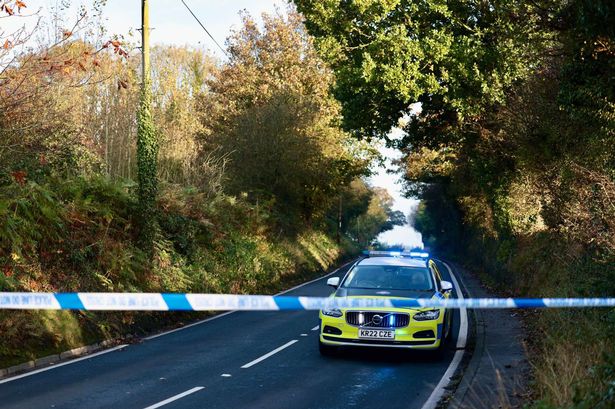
(42, 89)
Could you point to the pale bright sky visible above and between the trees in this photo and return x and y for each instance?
(172, 23)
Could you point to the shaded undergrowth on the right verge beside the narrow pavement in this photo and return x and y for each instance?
(571, 351)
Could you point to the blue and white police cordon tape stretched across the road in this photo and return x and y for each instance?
(225, 302)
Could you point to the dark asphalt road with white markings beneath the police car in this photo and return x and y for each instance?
(239, 360)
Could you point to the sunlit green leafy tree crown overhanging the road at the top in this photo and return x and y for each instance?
(454, 57)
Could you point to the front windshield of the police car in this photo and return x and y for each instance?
(389, 278)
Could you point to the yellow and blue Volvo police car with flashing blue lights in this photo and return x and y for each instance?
(389, 275)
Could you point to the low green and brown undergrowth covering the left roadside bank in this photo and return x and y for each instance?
(78, 234)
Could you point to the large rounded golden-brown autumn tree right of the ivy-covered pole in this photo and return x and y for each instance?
(269, 111)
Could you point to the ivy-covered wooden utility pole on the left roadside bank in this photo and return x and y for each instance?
(147, 144)
